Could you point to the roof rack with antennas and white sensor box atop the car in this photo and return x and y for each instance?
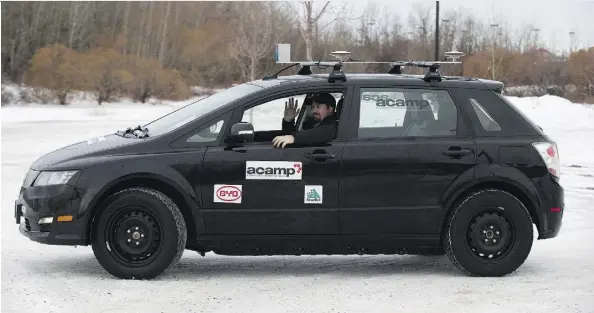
(432, 74)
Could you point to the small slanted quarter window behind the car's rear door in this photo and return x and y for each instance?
(491, 115)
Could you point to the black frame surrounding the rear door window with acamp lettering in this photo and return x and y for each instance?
(461, 128)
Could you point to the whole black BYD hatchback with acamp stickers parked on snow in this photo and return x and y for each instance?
(421, 164)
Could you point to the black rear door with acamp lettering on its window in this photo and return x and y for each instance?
(406, 149)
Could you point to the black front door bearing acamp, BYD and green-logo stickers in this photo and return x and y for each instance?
(258, 189)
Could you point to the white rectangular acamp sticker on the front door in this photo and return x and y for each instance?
(273, 170)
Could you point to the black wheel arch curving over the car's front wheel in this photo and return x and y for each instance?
(147, 180)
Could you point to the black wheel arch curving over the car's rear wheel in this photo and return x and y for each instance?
(494, 183)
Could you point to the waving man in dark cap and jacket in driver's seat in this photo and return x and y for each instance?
(323, 108)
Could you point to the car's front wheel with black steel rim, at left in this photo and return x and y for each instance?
(116, 239)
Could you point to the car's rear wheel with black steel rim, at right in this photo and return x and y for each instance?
(504, 247)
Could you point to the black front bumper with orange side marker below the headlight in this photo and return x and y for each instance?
(59, 202)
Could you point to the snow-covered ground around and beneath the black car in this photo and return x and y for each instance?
(557, 277)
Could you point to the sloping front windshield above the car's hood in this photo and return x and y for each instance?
(198, 109)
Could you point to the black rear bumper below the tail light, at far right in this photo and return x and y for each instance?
(552, 209)
